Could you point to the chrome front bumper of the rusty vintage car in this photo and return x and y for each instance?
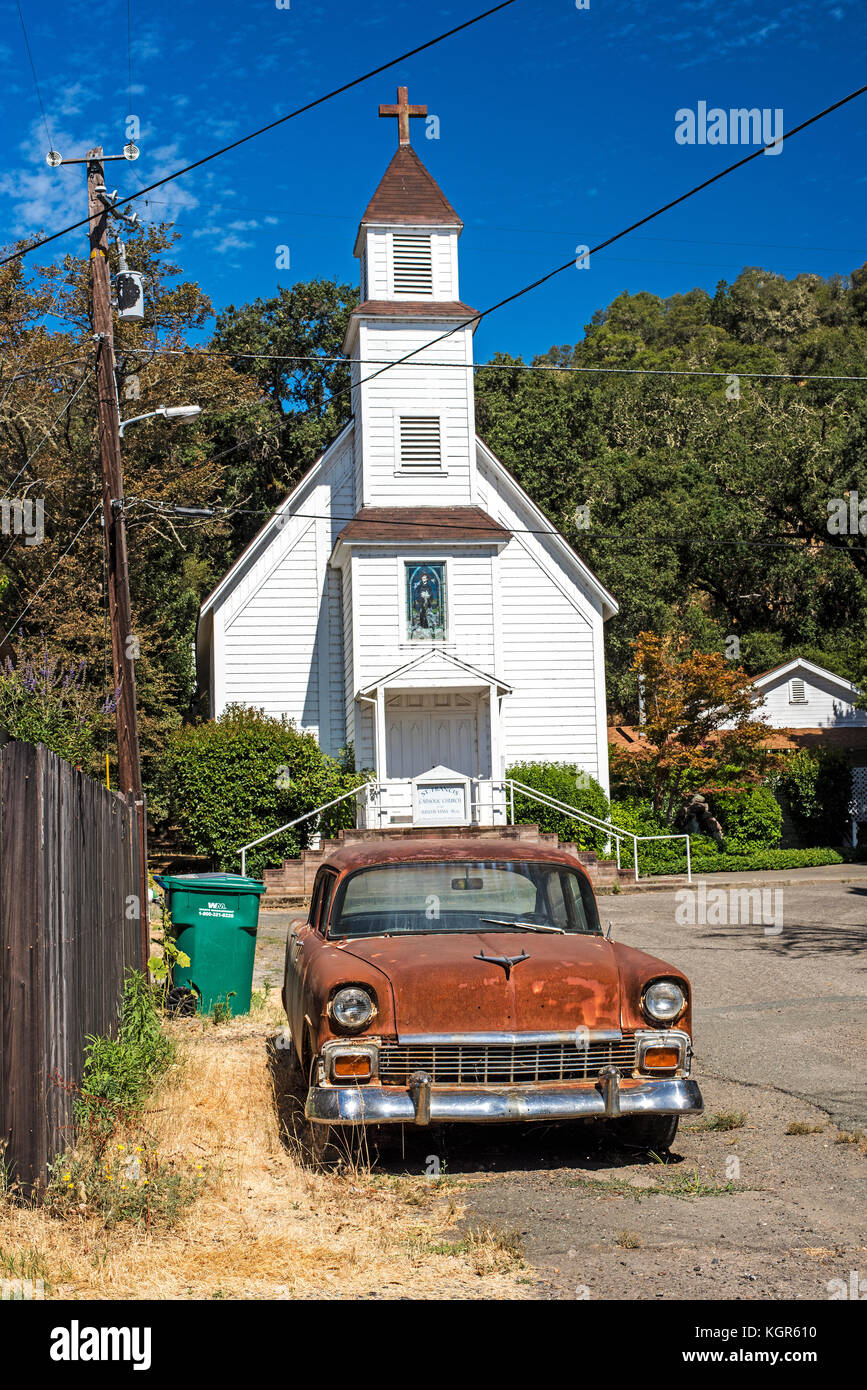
(426, 1104)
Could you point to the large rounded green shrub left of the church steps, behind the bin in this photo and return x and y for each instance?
(234, 779)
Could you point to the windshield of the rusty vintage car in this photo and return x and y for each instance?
(515, 896)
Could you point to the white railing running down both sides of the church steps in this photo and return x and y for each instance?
(390, 799)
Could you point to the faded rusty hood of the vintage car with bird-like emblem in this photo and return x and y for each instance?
(440, 985)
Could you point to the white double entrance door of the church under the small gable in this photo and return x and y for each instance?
(433, 730)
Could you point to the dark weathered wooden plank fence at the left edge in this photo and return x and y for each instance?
(72, 882)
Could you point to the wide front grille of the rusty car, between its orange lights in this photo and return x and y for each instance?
(498, 1064)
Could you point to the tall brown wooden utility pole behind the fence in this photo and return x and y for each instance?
(120, 611)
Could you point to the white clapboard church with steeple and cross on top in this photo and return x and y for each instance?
(408, 597)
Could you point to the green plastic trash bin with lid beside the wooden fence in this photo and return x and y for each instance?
(215, 919)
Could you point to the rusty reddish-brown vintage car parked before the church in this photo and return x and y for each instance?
(458, 981)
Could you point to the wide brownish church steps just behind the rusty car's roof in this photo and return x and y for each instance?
(292, 883)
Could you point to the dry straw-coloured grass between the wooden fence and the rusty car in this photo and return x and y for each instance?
(266, 1225)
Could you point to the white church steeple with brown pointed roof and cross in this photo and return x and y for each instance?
(415, 425)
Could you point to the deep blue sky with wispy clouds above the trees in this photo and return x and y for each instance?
(556, 129)
